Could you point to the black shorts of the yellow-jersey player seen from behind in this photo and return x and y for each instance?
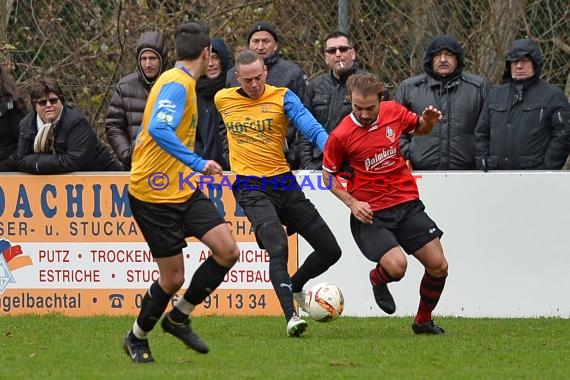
(165, 226)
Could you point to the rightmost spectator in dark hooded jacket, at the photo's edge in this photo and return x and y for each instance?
(525, 122)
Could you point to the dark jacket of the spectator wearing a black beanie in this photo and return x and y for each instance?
(283, 73)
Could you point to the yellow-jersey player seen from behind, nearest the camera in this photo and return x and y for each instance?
(166, 211)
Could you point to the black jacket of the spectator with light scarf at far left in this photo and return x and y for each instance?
(77, 147)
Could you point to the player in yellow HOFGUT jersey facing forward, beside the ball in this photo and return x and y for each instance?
(256, 116)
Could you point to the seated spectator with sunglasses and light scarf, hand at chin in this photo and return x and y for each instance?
(57, 138)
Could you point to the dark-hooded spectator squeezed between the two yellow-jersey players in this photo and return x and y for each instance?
(209, 143)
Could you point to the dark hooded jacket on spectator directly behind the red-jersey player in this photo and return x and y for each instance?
(460, 98)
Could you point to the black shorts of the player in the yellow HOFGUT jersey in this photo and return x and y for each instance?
(278, 198)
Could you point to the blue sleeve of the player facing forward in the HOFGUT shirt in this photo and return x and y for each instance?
(304, 120)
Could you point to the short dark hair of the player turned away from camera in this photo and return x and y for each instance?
(189, 40)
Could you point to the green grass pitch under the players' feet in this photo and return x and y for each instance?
(57, 347)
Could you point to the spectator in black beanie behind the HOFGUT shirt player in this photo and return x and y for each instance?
(263, 38)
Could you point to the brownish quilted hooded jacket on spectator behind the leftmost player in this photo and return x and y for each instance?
(126, 108)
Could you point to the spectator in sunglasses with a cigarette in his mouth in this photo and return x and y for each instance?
(327, 96)
